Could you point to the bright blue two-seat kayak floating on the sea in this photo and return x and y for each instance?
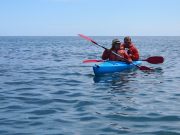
(113, 66)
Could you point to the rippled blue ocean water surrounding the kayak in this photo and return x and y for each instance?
(45, 89)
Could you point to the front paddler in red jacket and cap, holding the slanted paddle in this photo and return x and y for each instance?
(118, 48)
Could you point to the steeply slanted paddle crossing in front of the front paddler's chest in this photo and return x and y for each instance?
(89, 39)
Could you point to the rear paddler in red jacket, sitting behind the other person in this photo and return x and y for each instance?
(132, 50)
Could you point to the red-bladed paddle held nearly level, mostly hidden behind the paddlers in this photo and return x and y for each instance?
(152, 60)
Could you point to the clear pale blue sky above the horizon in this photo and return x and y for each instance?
(90, 17)
